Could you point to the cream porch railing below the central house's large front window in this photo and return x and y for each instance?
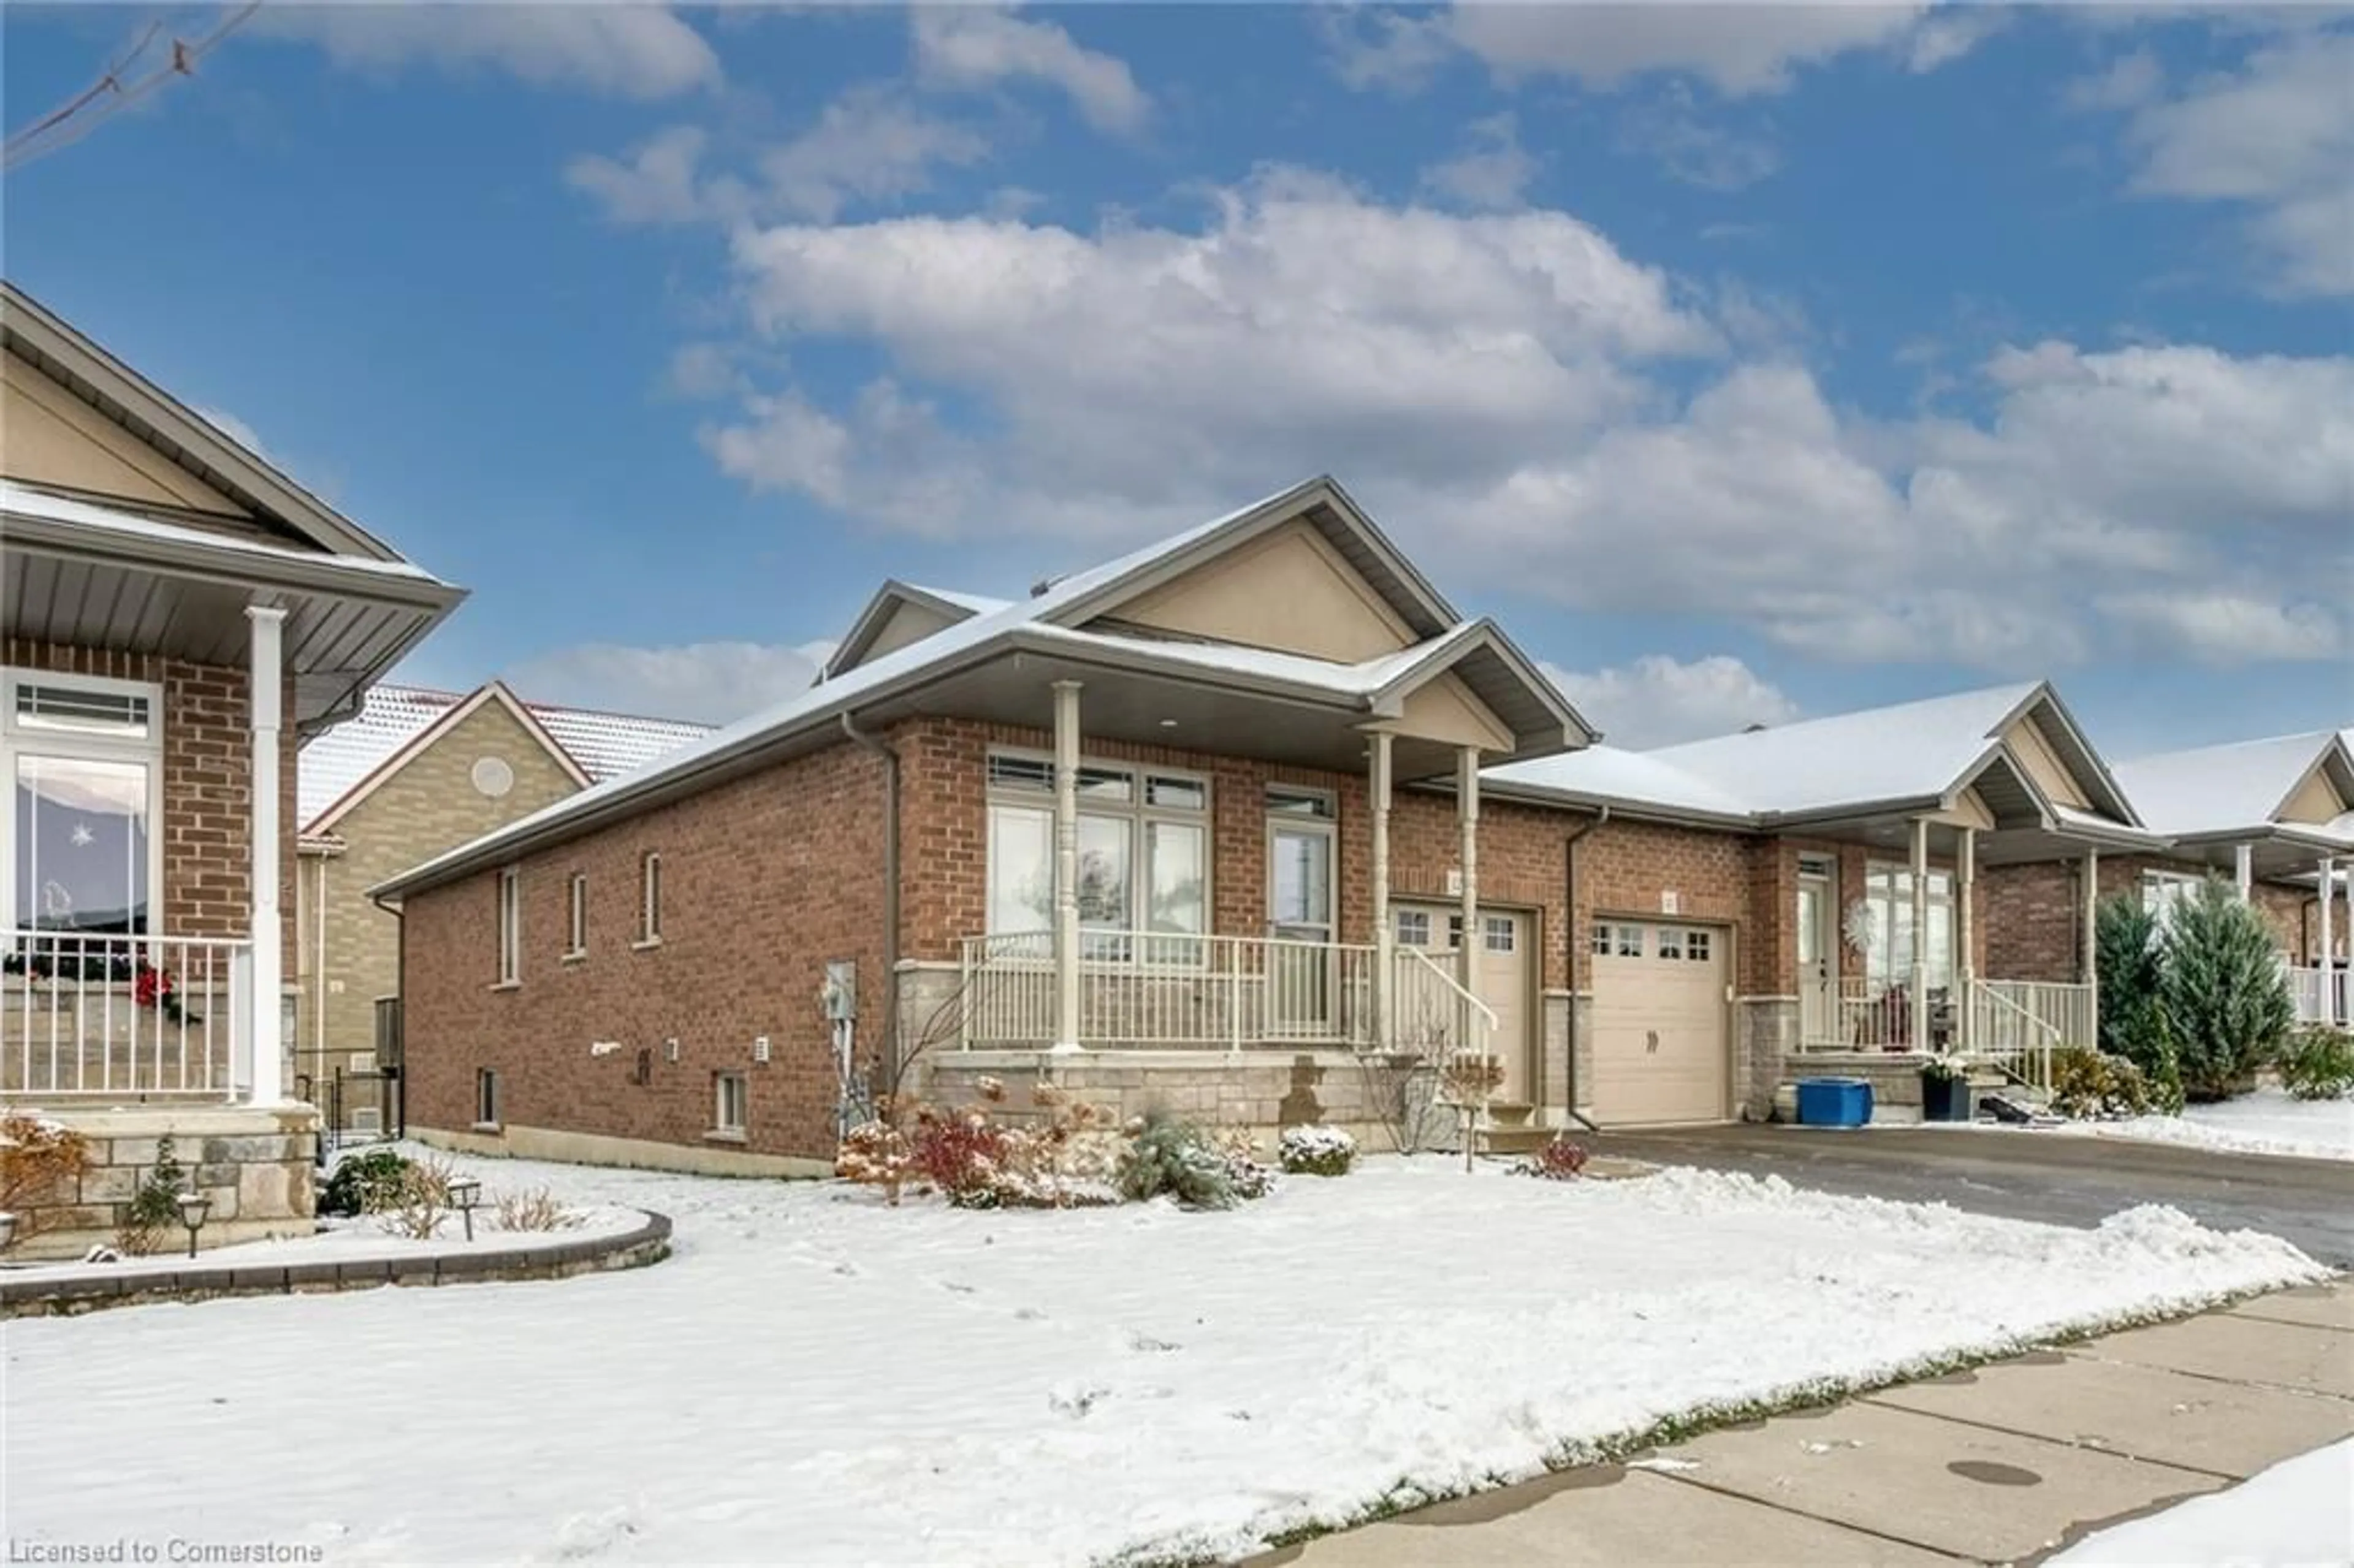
(1162, 990)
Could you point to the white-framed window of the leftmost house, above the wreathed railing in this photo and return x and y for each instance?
(84, 759)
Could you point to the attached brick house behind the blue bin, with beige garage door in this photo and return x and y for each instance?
(1814, 898)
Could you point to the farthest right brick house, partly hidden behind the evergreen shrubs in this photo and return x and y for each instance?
(2270, 816)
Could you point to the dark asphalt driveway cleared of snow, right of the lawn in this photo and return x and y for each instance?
(2028, 1176)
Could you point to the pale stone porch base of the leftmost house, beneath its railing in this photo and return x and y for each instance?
(253, 1162)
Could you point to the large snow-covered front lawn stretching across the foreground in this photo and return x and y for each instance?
(820, 1381)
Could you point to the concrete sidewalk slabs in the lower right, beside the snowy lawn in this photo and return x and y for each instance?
(2002, 1466)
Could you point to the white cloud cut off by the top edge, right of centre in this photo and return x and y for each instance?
(1741, 48)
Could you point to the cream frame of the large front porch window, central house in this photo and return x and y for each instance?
(1138, 811)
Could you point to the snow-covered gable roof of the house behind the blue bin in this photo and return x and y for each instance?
(1903, 757)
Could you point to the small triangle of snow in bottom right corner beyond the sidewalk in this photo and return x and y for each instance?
(2296, 1515)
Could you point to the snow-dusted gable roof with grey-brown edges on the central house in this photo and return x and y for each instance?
(1051, 623)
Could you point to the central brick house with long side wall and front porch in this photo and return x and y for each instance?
(1152, 825)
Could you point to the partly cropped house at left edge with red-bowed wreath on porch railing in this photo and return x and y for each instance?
(178, 616)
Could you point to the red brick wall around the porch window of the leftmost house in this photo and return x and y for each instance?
(206, 783)
